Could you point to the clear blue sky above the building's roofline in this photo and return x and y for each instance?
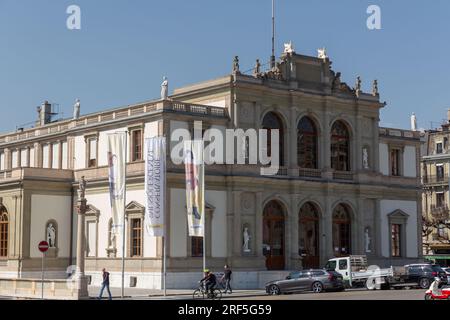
(125, 47)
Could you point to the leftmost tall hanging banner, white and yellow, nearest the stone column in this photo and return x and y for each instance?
(117, 167)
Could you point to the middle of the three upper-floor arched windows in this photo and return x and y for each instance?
(307, 144)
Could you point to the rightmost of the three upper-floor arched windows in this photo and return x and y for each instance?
(340, 147)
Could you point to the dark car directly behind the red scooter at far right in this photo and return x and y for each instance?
(424, 274)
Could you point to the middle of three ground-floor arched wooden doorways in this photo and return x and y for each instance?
(308, 236)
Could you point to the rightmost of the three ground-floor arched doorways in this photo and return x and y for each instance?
(342, 231)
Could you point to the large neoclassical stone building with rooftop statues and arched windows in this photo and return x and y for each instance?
(346, 186)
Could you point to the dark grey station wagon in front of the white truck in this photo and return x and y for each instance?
(315, 280)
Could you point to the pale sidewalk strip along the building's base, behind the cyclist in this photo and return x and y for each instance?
(135, 293)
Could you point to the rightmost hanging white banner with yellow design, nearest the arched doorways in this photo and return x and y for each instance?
(195, 187)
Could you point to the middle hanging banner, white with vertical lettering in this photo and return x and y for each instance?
(155, 185)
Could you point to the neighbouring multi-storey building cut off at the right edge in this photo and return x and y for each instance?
(435, 177)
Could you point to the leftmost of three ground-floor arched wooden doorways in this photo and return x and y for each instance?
(273, 235)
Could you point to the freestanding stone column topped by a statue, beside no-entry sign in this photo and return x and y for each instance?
(82, 282)
